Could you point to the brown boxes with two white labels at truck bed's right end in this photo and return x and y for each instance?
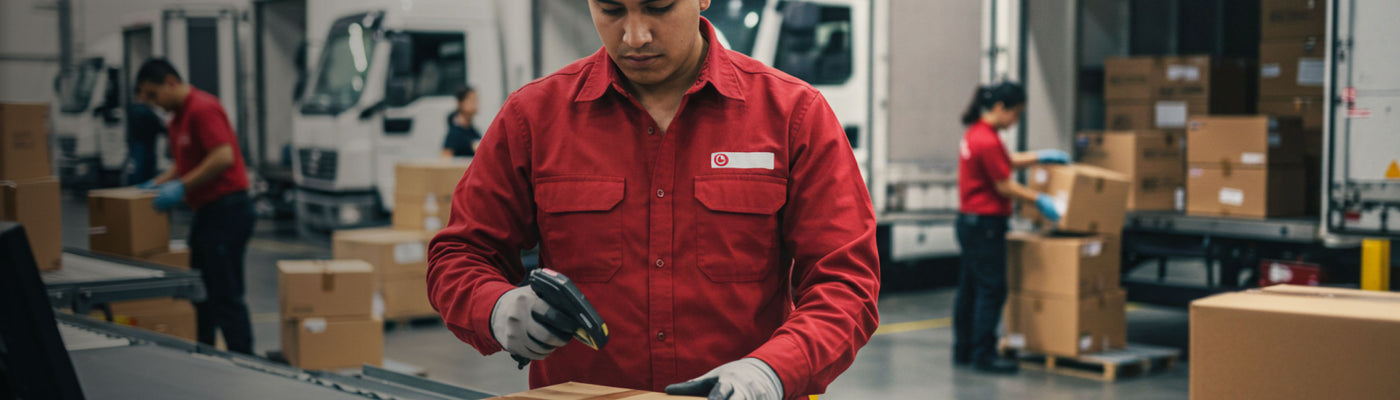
(1245, 167)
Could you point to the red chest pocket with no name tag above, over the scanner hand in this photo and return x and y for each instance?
(580, 226)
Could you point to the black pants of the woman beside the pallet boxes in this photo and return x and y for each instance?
(982, 286)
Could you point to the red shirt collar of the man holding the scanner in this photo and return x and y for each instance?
(717, 72)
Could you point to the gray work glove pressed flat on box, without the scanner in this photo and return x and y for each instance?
(744, 380)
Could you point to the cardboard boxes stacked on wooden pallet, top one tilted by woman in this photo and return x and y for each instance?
(1066, 299)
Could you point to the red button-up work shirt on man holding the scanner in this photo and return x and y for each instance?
(743, 231)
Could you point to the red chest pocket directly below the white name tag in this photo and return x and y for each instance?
(737, 229)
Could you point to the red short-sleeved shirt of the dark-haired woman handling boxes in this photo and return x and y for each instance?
(982, 163)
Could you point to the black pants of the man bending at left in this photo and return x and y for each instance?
(218, 243)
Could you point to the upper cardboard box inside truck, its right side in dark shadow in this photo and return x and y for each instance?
(1207, 85)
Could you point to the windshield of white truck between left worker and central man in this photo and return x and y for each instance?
(345, 64)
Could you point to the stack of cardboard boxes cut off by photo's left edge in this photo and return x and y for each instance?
(29, 192)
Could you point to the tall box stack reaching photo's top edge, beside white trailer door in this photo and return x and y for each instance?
(1291, 75)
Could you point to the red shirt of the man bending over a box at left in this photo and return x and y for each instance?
(197, 129)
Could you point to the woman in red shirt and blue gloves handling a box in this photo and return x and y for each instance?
(986, 190)
